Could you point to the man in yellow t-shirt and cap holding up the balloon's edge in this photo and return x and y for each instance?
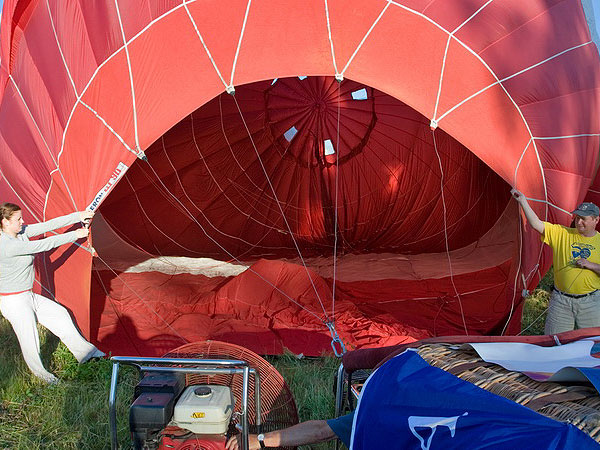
(575, 299)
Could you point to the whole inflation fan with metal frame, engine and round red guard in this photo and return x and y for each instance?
(198, 394)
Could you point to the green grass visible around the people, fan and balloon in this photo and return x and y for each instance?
(74, 413)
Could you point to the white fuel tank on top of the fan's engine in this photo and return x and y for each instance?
(204, 409)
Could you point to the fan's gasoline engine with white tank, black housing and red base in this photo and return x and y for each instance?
(167, 414)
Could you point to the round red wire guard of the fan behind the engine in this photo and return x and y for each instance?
(278, 408)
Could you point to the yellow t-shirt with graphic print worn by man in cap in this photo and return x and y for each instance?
(567, 246)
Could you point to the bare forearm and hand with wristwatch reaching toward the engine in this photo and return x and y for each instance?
(310, 432)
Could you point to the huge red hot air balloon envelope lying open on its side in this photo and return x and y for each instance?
(356, 183)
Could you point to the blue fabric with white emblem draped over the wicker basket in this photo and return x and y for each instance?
(408, 404)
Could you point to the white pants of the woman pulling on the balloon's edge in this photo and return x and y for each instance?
(22, 310)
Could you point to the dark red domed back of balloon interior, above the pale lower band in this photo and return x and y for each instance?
(289, 166)
